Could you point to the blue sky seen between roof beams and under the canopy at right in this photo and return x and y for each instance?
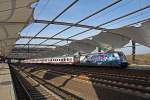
(49, 9)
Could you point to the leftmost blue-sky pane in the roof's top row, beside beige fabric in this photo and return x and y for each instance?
(48, 9)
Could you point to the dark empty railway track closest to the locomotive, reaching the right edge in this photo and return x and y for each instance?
(141, 81)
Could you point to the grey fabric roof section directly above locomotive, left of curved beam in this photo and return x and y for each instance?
(113, 40)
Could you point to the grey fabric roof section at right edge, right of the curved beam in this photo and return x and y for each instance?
(138, 34)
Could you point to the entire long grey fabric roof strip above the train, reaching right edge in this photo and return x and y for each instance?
(115, 38)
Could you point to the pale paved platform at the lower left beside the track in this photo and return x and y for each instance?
(6, 85)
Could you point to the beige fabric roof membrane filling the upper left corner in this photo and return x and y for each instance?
(14, 15)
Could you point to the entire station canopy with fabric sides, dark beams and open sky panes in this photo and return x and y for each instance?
(70, 26)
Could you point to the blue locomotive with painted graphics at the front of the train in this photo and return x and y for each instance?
(106, 59)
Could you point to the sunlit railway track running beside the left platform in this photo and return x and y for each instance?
(39, 89)
